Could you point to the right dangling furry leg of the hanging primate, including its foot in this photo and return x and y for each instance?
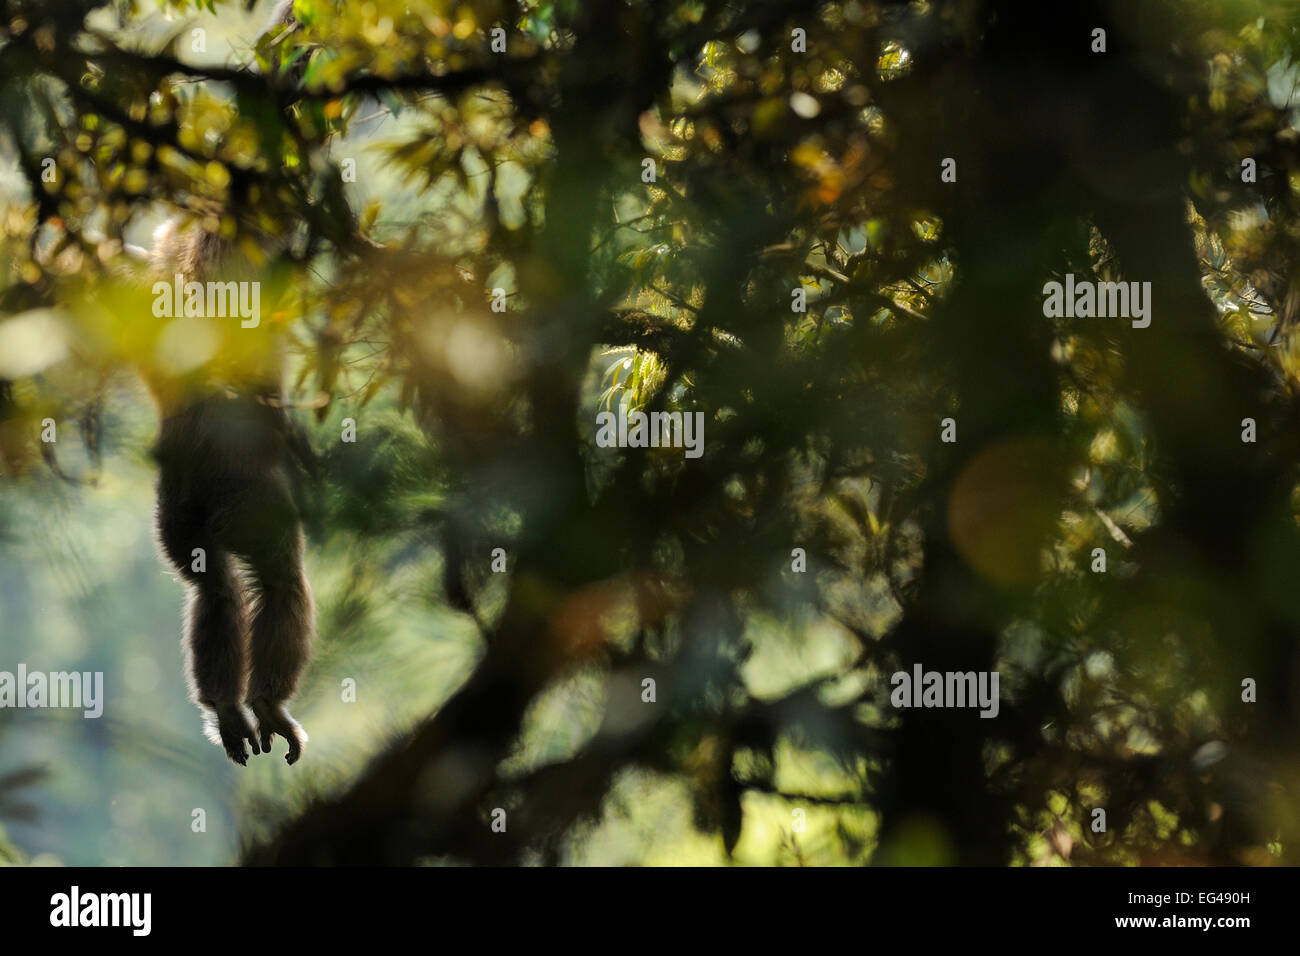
(284, 621)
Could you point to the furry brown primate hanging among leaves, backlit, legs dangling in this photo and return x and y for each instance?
(228, 511)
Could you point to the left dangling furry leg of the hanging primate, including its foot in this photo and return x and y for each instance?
(216, 626)
